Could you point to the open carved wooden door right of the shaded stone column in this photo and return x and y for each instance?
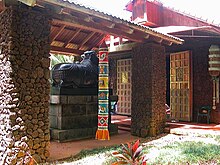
(181, 86)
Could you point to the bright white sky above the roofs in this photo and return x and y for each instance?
(207, 10)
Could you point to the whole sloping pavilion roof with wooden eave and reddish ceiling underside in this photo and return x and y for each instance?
(75, 28)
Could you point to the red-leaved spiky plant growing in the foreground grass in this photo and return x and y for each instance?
(130, 154)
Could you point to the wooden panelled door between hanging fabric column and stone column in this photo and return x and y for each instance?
(124, 86)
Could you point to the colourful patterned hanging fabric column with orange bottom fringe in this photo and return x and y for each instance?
(102, 132)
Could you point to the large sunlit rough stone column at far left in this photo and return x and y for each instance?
(24, 85)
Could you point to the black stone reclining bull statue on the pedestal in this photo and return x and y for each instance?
(77, 75)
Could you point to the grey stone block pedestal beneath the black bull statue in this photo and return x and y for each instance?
(74, 117)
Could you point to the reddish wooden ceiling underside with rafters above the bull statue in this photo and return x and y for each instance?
(67, 39)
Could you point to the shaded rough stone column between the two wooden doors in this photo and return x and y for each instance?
(148, 90)
